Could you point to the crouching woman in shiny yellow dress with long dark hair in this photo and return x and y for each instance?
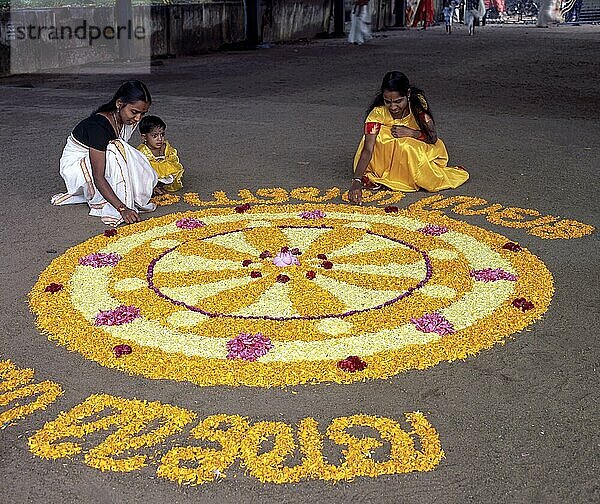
(400, 148)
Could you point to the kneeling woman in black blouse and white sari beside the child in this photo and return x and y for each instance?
(101, 169)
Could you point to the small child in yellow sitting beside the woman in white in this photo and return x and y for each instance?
(162, 156)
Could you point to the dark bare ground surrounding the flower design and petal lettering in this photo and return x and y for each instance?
(516, 105)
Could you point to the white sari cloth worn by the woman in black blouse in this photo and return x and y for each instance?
(127, 171)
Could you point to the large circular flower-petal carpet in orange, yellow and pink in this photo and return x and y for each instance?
(358, 281)
